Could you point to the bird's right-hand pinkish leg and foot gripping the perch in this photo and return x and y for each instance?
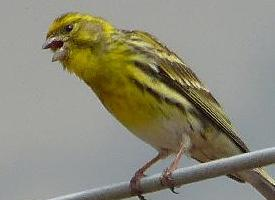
(166, 178)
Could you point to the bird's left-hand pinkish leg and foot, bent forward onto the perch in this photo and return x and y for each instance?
(135, 181)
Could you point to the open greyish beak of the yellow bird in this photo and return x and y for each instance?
(57, 45)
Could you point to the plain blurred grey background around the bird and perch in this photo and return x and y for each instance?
(56, 138)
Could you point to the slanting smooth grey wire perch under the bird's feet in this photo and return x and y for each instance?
(181, 176)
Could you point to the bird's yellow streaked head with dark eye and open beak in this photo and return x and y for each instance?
(76, 30)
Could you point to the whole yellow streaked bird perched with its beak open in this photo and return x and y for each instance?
(152, 92)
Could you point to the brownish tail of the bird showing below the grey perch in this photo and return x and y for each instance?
(261, 181)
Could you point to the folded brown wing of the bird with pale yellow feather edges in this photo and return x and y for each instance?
(188, 85)
